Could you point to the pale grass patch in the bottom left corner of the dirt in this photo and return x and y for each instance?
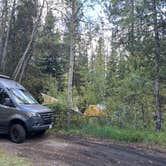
(8, 160)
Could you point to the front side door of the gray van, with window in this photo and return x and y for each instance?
(7, 109)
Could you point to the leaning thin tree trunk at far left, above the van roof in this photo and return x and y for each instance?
(4, 54)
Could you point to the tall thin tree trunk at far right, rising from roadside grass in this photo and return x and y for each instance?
(157, 68)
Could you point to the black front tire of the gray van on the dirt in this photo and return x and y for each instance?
(17, 133)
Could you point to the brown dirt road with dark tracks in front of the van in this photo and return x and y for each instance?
(52, 150)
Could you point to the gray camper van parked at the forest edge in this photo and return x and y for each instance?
(20, 113)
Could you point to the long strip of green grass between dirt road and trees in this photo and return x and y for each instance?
(121, 134)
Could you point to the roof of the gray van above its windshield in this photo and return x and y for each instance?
(8, 83)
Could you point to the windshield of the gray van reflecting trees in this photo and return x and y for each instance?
(22, 96)
